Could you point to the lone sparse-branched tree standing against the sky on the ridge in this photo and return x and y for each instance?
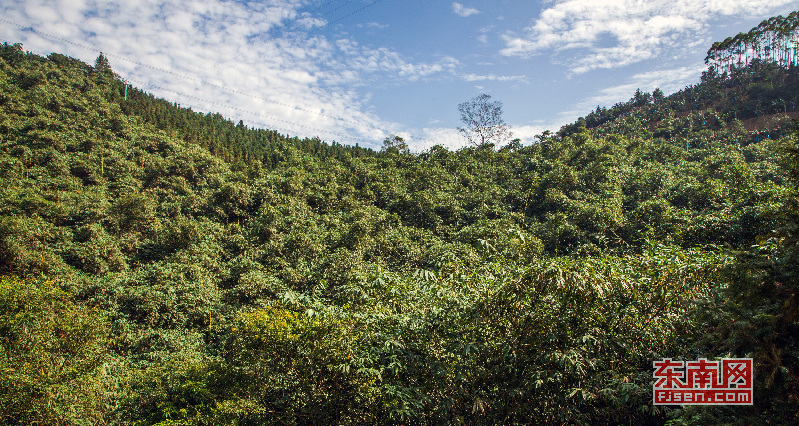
(483, 120)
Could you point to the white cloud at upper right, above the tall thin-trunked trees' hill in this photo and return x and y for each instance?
(637, 29)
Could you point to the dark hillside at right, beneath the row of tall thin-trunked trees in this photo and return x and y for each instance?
(760, 98)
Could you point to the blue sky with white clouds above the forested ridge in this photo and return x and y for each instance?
(355, 71)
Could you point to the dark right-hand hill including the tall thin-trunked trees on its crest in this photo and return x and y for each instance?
(752, 82)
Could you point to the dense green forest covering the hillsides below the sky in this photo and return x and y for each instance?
(163, 266)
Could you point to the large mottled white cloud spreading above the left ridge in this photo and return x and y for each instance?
(262, 62)
